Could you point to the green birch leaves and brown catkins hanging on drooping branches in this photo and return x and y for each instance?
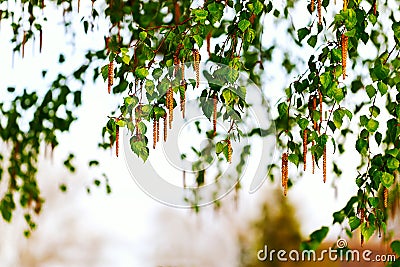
(340, 62)
